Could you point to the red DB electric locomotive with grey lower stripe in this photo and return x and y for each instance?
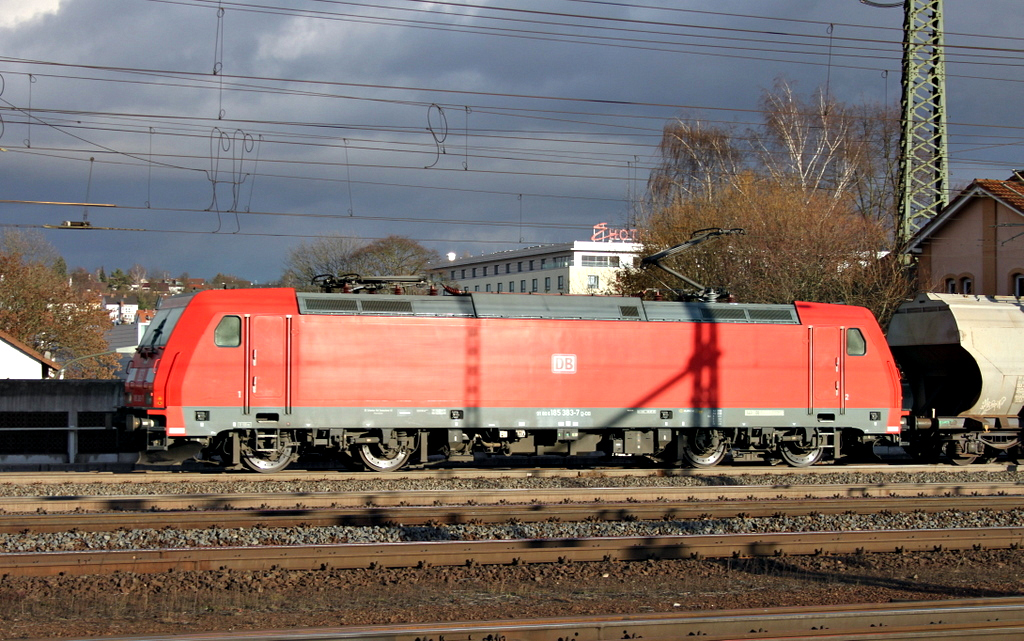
(255, 378)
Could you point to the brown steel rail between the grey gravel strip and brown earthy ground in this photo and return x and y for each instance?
(456, 553)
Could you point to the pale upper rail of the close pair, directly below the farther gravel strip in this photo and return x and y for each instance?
(271, 501)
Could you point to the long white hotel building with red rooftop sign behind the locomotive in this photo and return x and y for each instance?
(580, 268)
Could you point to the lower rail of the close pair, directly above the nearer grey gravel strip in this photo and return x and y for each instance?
(479, 515)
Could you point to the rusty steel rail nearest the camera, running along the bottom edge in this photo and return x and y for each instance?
(967, 619)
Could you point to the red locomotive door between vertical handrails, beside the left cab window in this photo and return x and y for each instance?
(269, 381)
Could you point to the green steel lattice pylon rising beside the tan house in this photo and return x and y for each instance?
(924, 172)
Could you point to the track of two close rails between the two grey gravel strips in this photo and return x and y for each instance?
(415, 509)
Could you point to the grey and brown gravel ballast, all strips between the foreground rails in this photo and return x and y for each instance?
(126, 605)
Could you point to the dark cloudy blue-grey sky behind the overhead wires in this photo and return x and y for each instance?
(208, 137)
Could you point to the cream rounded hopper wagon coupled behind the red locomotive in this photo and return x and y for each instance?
(963, 360)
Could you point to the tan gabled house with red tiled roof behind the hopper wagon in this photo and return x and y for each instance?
(976, 244)
